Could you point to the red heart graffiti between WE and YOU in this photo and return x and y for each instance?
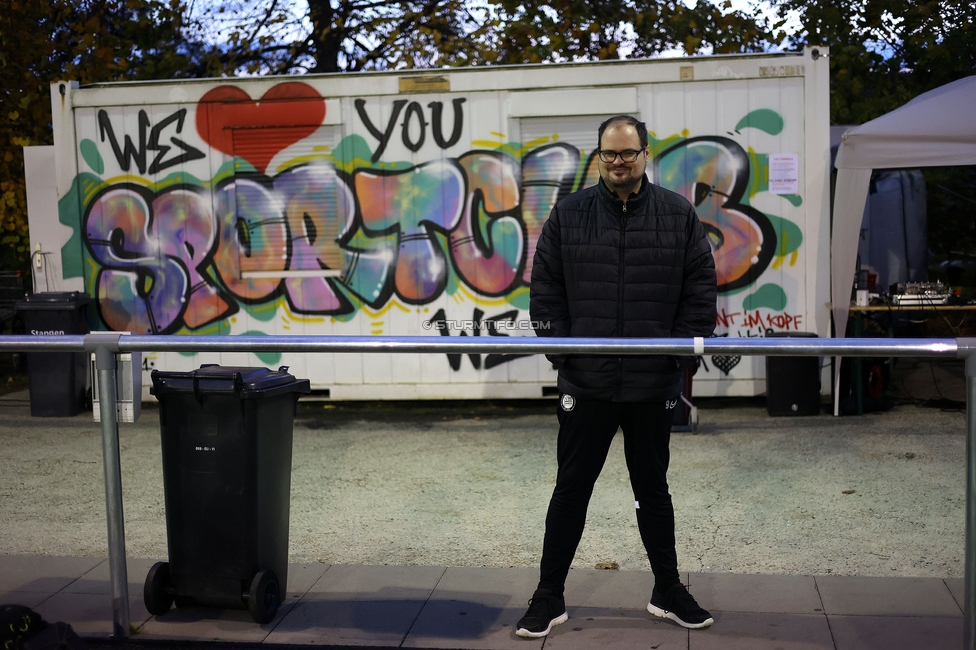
(255, 130)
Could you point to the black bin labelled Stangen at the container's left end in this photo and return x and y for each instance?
(58, 380)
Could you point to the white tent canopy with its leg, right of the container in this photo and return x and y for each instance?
(936, 129)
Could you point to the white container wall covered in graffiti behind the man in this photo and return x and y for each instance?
(409, 204)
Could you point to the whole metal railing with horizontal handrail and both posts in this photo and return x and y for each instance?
(107, 345)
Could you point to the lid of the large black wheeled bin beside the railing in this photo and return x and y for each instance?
(246, 382)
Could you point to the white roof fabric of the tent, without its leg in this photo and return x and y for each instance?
(936, 129)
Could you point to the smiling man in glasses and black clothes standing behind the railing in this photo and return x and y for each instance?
(624, 258)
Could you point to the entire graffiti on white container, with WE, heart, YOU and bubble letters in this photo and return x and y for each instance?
(328, 236)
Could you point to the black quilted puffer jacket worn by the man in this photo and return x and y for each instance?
(607, 269)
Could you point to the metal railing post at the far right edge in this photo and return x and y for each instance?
(967, 350)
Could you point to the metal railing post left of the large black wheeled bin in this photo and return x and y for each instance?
(105, 345)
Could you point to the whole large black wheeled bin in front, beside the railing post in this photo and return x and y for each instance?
(226, 443)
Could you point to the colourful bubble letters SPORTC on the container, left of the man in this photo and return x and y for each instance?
(411, 229)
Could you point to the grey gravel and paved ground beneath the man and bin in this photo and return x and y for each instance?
(420, 525)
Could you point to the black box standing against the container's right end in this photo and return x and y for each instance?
(793, 383)
